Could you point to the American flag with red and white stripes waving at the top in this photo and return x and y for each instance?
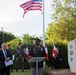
(31, 5)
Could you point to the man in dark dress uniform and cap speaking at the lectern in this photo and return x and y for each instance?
(39, 51)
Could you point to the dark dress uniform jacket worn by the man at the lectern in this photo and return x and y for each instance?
(38, 51)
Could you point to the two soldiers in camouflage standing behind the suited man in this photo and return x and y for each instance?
(19, 55)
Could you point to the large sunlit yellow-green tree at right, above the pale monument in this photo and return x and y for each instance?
(64, 25)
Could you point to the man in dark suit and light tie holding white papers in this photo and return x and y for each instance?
(5, 55)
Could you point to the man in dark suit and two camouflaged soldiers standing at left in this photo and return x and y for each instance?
(7, 54)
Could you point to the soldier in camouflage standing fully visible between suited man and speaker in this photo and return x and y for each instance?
(19, 58)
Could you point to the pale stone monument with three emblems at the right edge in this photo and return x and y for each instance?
(72, 55)
